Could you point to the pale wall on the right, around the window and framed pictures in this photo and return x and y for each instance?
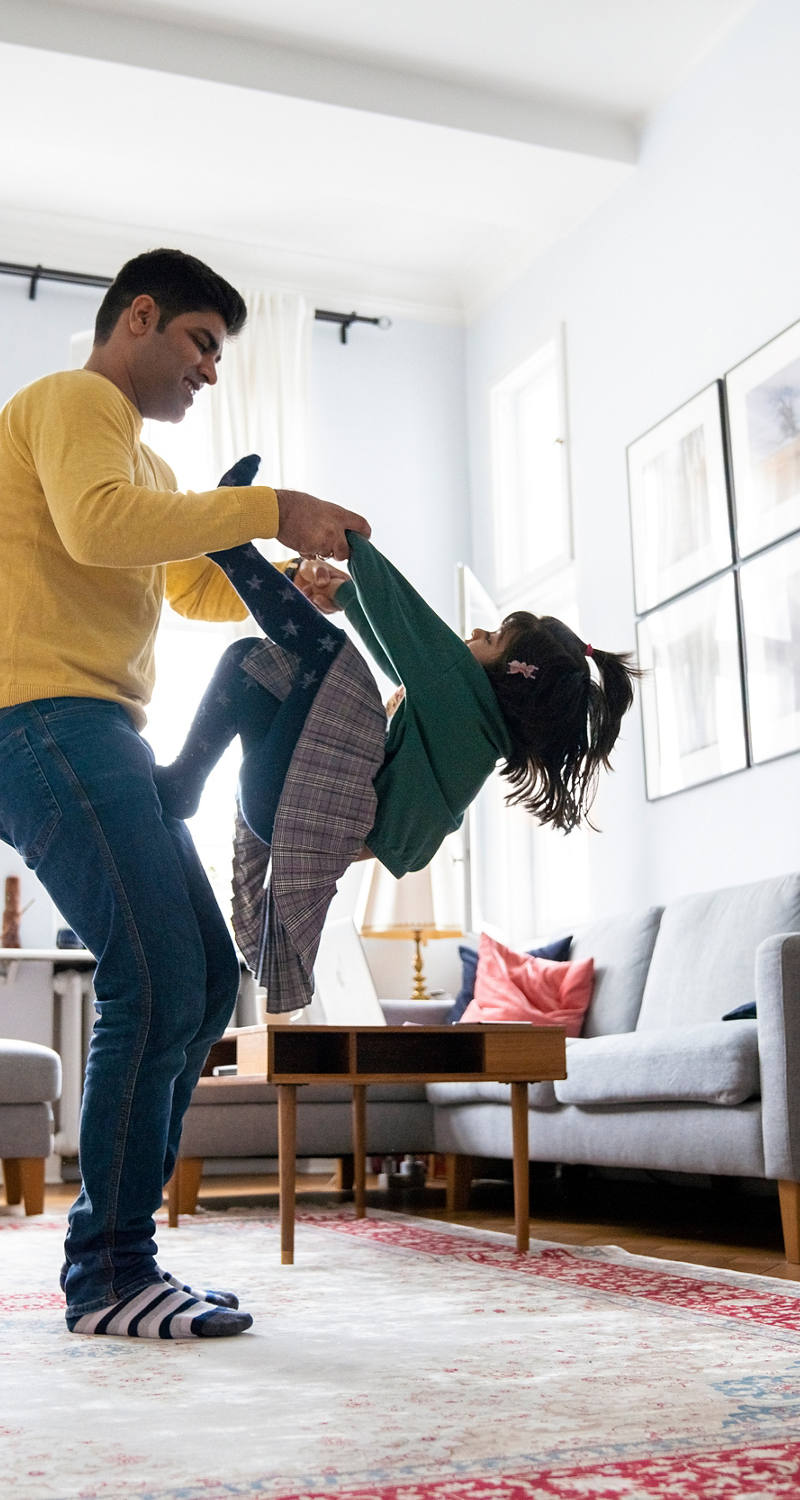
(684, 274)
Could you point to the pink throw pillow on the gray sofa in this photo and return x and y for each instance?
(517, 988)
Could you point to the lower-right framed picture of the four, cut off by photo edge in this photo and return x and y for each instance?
(771, 608)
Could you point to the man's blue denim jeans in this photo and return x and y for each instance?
(79, 802)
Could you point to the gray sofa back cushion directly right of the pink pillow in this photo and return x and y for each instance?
(622, 949)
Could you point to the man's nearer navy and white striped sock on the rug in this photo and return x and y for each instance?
(158, 1312)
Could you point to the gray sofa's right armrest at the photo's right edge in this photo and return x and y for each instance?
(778, 1006)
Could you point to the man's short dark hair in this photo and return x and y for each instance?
(178, 283)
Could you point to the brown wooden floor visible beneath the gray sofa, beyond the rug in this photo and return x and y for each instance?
(723, 1226)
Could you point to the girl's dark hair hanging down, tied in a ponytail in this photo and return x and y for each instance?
(564, 722)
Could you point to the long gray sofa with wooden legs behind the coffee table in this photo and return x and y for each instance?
(658, 1081)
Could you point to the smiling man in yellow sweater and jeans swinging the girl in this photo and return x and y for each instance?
(95, 536)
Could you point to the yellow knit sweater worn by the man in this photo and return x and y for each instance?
(94, 536)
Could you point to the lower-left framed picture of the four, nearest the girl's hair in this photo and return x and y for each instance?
(693, 703)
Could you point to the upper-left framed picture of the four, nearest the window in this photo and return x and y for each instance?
(678, 484)
